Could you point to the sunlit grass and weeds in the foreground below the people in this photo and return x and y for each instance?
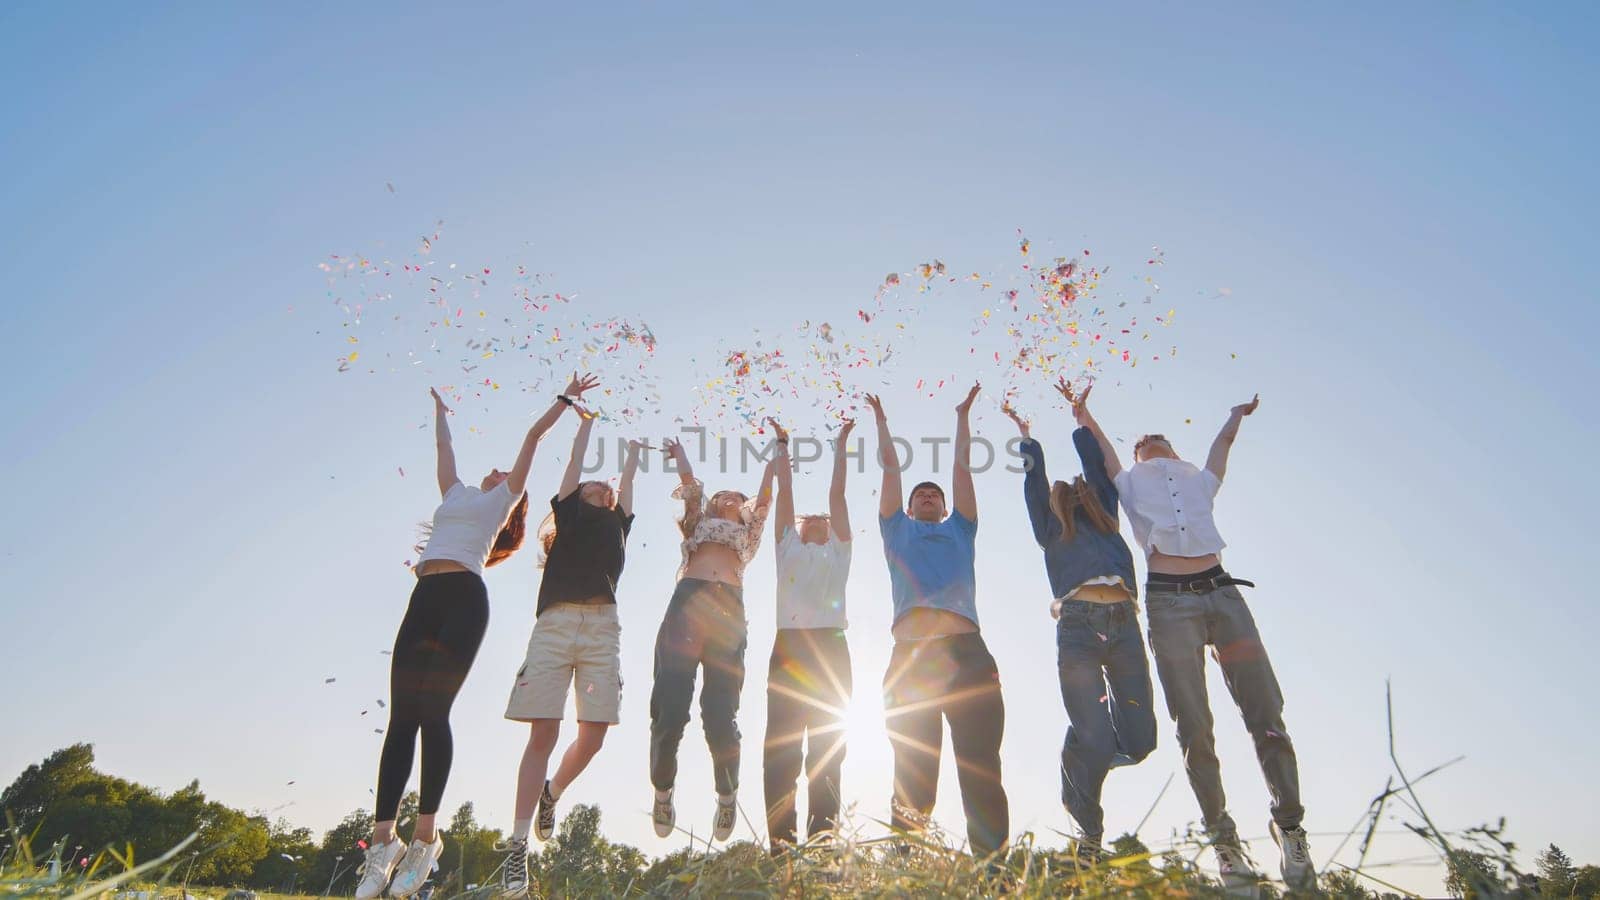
(858, 864)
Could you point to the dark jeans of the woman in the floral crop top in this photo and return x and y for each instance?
(705, 627)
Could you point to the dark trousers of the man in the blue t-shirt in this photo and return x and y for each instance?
(954, 678)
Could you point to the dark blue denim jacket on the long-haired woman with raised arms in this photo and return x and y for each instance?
(1092, 553)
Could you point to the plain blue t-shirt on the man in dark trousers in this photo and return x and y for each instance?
(932, 565)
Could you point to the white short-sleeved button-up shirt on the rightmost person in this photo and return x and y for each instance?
(1169, 504)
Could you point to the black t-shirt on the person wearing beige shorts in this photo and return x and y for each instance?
(586, 558)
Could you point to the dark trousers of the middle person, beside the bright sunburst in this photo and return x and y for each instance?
(807, 693)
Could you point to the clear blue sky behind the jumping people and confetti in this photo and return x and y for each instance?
(209, 521)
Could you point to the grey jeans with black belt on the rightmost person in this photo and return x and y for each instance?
(1182, 625)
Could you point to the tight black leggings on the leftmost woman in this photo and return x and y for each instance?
(434, 649)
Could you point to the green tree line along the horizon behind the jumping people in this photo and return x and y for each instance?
(66, 808)
